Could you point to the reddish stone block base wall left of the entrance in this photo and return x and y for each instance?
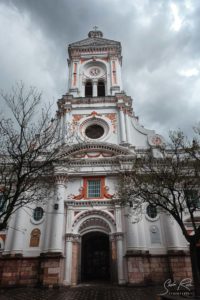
(21, 271)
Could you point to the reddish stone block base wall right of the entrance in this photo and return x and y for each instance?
(155, 269)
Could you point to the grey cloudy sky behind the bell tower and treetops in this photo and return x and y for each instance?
(160, 43)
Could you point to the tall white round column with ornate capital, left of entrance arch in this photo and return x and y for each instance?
(57, 226)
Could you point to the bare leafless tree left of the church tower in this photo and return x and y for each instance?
(28, 146)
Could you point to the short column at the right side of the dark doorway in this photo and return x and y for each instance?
(120, 254)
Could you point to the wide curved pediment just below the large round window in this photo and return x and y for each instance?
(94, 151)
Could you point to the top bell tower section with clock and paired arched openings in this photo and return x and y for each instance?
(95, 66)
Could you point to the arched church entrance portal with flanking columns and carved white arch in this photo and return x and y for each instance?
(94, 249)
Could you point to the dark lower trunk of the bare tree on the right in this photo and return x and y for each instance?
(195, 269)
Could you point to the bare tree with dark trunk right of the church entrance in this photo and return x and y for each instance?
(168, 178)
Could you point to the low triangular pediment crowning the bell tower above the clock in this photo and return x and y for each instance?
(94, 42)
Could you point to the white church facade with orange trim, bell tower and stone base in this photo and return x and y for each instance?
(82, 233)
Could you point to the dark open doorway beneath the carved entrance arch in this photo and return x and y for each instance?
(95, 257)
